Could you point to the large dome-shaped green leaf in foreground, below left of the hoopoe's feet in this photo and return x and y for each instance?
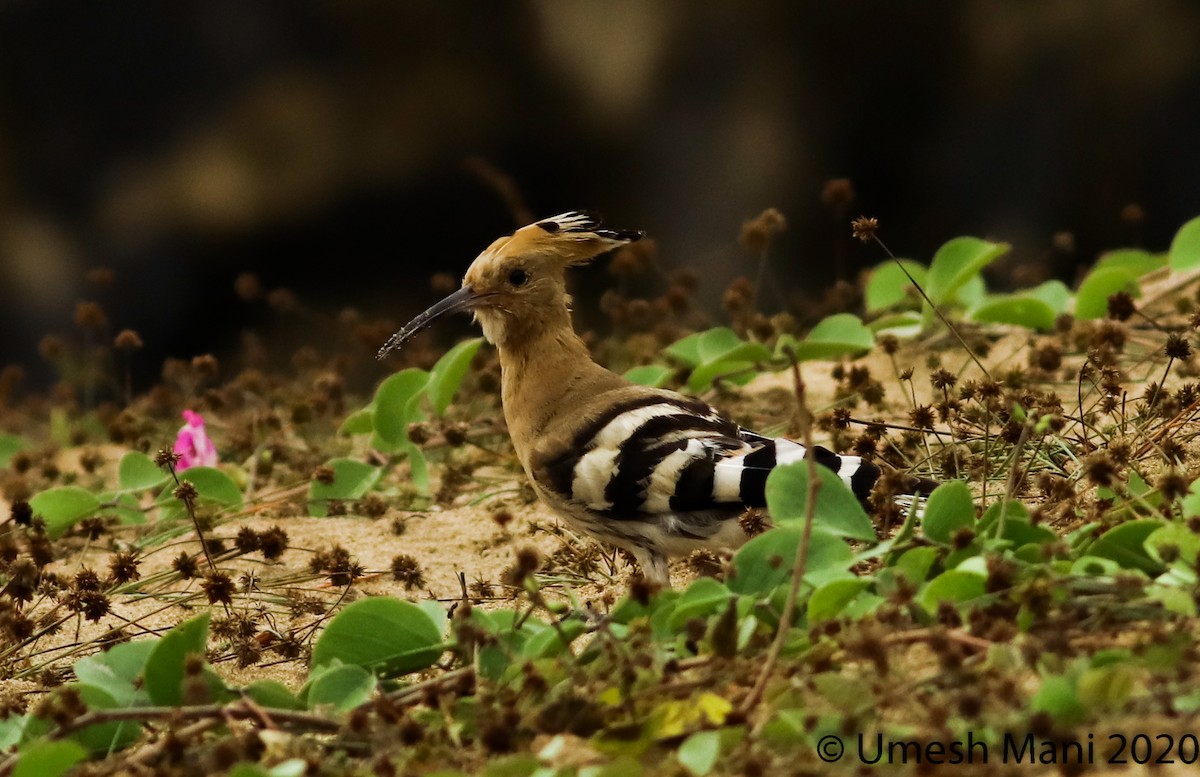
(386, 636)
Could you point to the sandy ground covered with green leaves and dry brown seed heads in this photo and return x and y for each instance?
(363, 583)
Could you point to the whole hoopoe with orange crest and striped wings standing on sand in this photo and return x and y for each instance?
(644, 469)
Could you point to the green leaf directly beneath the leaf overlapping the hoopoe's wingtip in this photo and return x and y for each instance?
(765, 563)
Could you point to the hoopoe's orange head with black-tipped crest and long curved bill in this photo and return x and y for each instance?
(517, 286)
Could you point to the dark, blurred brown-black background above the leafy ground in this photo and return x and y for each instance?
(347, 150)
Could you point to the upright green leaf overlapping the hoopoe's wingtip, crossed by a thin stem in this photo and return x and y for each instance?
(838, 511)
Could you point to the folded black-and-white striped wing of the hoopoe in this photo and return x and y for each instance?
(663, 454)
